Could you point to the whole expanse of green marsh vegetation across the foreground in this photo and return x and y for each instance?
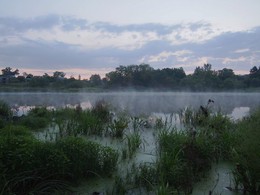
(50, 151)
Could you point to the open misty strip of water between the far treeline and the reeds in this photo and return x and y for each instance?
(138, 102)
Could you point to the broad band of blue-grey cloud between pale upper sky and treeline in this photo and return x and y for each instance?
(69, 43)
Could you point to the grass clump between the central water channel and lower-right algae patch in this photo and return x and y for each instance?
(183, 158)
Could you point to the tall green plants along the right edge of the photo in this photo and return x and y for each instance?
(246, 154)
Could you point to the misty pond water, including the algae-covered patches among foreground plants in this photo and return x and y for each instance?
(163, 105)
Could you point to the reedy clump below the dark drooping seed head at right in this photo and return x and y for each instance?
(216, 128)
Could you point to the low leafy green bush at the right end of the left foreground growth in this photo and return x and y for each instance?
(87, 157)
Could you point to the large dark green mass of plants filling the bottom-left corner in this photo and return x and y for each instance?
(35, 166)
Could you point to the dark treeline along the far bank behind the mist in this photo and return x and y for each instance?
(140, 77)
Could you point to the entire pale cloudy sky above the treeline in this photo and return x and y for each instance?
(95, 36)
